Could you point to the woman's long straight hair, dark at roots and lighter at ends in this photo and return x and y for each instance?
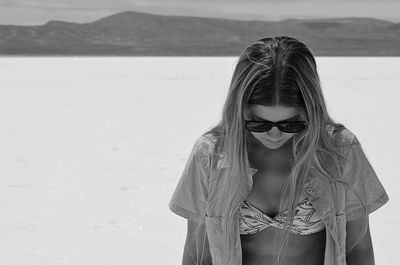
(274, 71)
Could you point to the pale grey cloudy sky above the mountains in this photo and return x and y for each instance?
(38, 12)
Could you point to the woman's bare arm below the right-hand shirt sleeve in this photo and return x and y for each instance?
(362, 253)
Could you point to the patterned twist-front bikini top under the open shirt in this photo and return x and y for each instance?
(306, 221)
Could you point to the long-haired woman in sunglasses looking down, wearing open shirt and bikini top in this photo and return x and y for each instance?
(277, 181)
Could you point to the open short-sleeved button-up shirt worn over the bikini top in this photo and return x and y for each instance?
(190, 197)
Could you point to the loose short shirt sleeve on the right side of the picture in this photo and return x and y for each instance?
(364, 181)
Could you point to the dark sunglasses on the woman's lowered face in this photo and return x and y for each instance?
(283, 126)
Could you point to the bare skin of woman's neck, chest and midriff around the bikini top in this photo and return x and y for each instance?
(267, 195)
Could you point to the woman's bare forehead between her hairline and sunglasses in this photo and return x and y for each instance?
(272, 113)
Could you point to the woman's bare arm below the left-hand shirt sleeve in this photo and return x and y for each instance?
(192, 255)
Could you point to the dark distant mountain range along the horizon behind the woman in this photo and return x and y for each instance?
(140, 34)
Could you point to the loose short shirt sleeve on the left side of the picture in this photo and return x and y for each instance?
(190, 195)
